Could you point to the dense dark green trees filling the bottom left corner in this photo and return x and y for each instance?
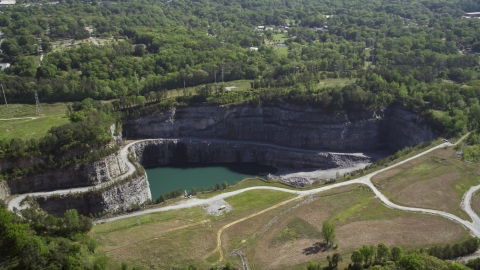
(36, 240)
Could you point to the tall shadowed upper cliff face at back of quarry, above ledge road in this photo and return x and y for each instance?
(287, 125)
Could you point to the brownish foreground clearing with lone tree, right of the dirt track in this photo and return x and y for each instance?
(360, 219)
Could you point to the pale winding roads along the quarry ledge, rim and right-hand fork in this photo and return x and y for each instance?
(474, 226)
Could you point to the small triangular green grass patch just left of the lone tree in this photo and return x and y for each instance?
(296, 228)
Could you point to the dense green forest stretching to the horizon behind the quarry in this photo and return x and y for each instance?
(420, 54)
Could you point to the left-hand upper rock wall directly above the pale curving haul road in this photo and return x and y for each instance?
(75, 176)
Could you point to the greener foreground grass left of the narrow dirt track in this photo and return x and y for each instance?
(176, 238)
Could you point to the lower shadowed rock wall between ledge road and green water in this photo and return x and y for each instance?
(163, 151)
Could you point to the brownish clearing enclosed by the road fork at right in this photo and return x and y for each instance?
(435, 181)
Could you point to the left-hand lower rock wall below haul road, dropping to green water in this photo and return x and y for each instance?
(119, 197)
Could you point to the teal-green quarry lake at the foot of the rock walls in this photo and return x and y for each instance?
(187, 175)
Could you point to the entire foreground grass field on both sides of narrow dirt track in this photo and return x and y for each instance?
(282, 238)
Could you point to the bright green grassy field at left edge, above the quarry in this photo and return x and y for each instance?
(53, 115)
